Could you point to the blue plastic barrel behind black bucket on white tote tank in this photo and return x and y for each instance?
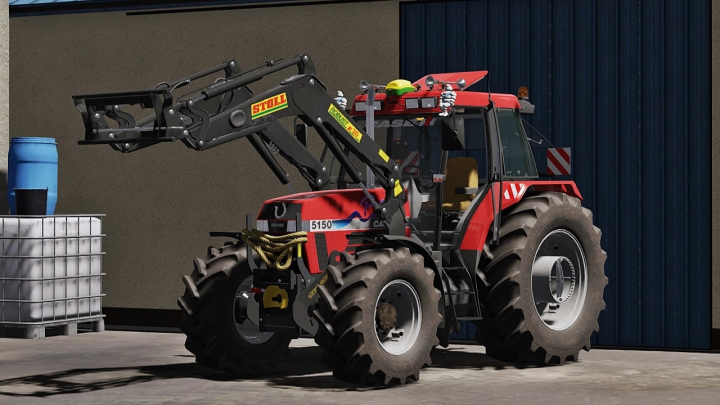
(32, 164)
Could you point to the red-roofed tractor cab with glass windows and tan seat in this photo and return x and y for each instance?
(443, 149)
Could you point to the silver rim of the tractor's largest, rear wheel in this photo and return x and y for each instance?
(559, 279)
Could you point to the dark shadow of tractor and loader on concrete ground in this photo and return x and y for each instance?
(303, 369)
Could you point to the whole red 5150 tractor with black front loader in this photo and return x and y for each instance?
(393, 246)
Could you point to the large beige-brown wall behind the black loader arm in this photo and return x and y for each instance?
(161, 202)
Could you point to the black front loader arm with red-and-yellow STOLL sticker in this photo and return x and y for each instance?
(228, 110)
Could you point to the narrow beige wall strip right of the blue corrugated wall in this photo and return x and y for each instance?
(716, 166)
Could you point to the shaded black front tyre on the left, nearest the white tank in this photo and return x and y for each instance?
(208, 317)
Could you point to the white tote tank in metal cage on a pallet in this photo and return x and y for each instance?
(51, 272)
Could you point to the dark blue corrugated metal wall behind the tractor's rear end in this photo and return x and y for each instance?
(626, 85)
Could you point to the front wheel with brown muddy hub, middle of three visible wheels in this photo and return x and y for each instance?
(356, 346)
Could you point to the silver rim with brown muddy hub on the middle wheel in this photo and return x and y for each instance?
(402, 336)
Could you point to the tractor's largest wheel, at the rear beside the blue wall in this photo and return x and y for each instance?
(514, 327)
